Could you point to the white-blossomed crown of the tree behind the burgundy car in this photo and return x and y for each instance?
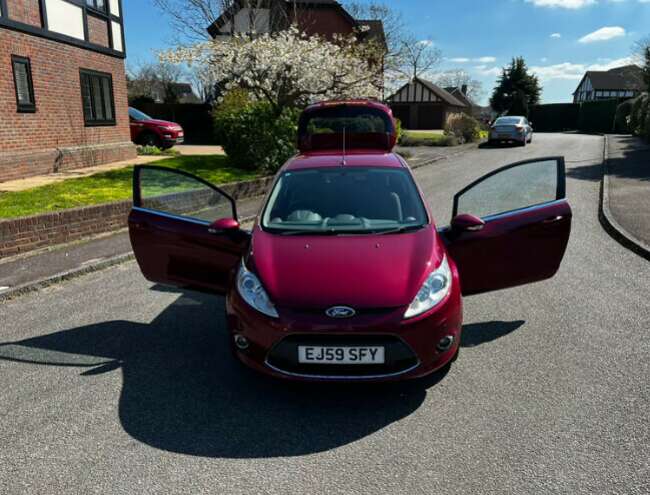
(287, 68)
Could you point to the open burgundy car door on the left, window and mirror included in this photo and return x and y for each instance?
(184, 230)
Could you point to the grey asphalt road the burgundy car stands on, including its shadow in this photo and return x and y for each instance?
(109, 384)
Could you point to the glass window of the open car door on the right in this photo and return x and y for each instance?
(512, 188)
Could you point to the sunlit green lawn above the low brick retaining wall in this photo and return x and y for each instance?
(110, 186)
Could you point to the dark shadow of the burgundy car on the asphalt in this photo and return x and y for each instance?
(184, 392)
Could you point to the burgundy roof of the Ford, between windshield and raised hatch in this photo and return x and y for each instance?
(363, 158)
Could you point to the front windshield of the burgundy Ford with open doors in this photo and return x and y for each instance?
(344, 201)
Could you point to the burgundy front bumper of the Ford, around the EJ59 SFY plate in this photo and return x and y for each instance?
(410, 344)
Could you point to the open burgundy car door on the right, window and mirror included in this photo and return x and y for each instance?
(510, 227)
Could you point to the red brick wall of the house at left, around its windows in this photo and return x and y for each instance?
(57, 127)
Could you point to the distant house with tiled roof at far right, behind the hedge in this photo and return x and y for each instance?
(620, 82)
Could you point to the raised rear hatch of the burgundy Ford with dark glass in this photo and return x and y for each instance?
(353, 125)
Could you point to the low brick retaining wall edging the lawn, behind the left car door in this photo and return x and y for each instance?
(21, 235)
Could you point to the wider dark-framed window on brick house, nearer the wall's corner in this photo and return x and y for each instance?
(97, 98)
